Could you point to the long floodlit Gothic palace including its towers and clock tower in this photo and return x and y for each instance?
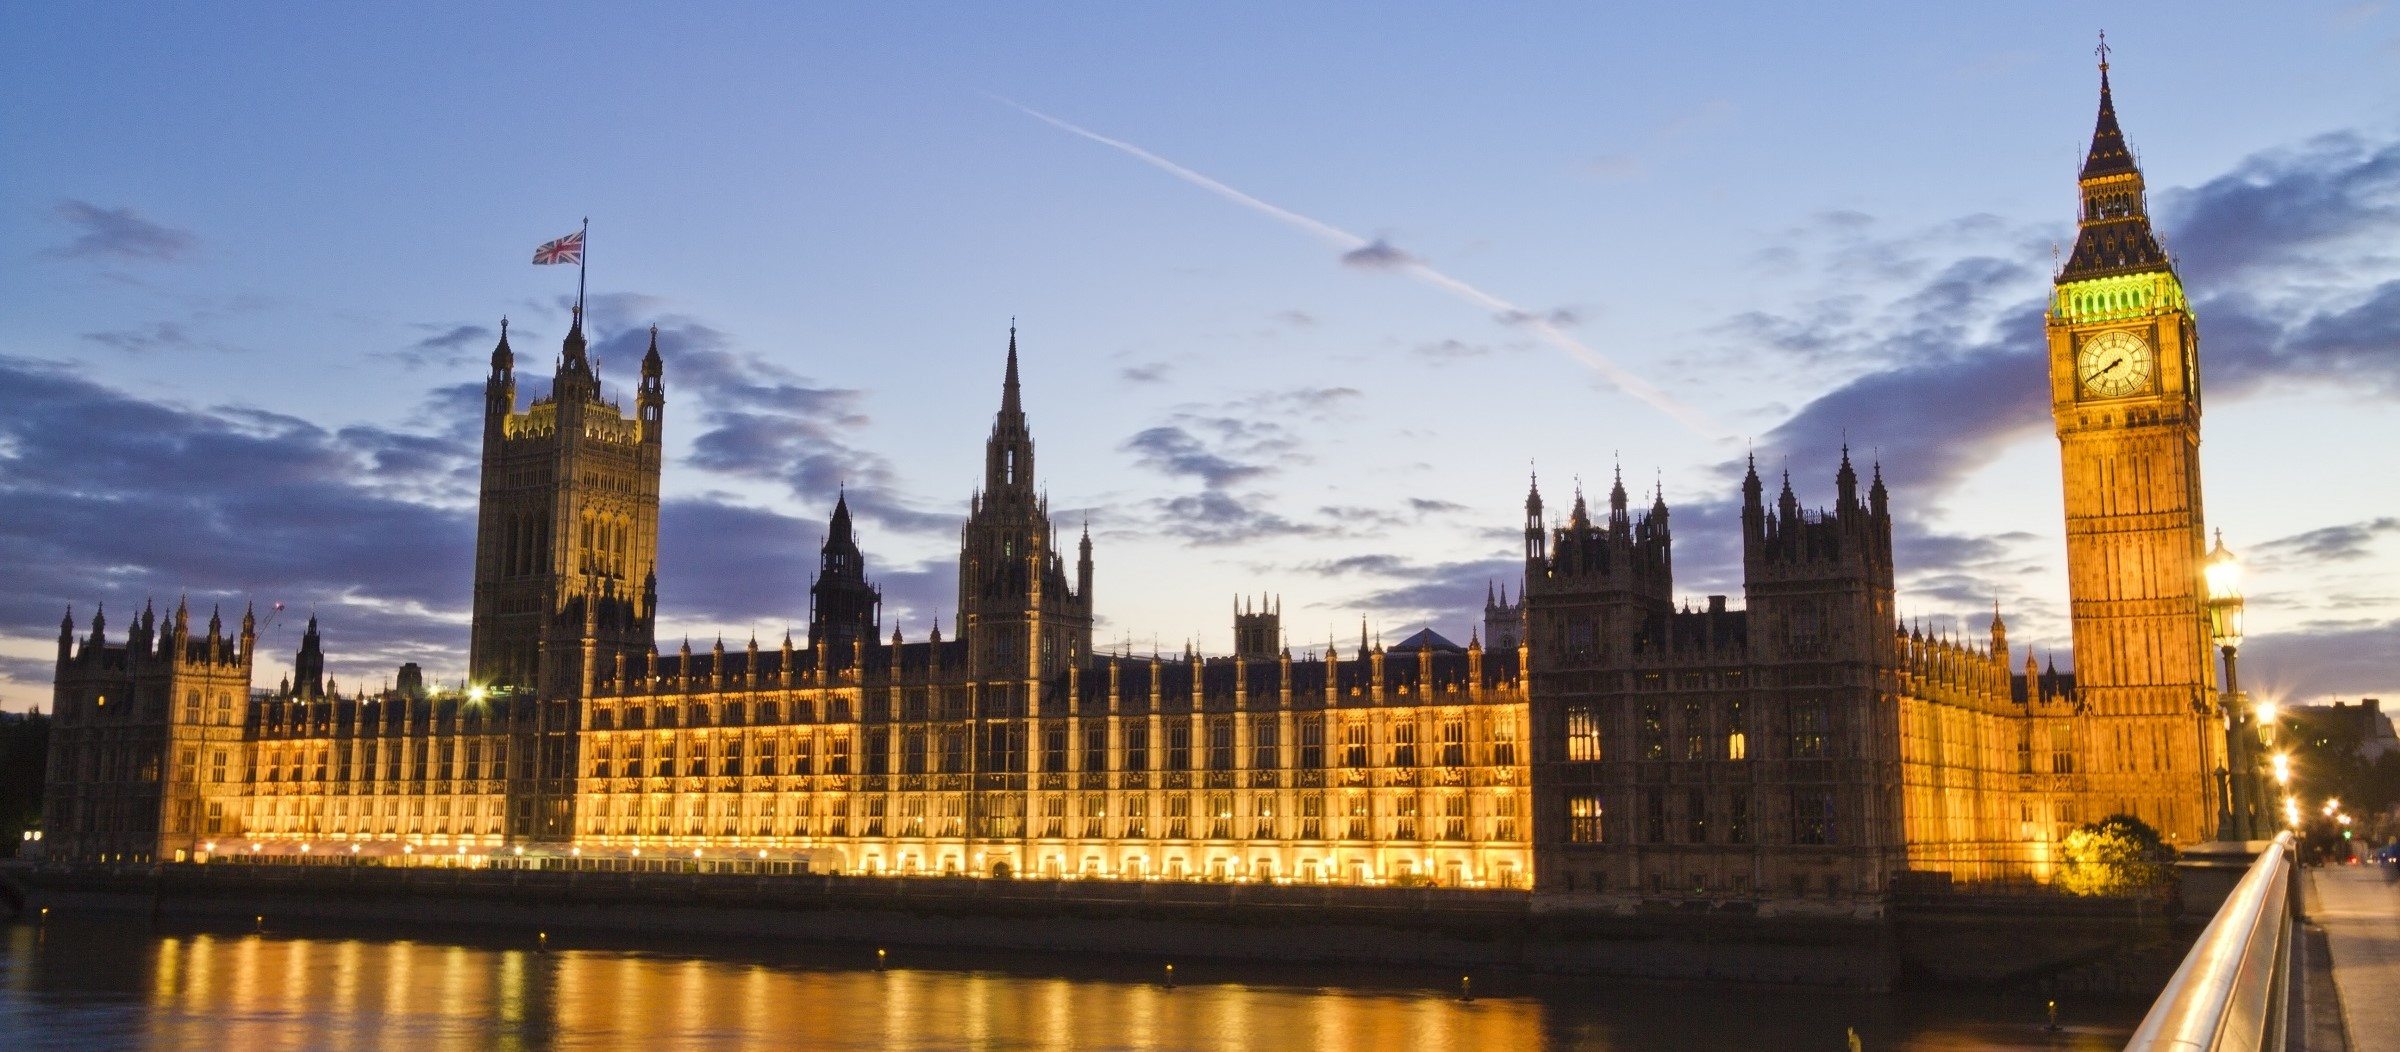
(1595, 741)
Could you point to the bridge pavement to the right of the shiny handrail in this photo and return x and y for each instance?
(2360, 916)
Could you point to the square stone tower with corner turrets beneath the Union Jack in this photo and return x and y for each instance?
(568, 525)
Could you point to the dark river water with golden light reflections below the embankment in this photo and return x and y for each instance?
(104, 984)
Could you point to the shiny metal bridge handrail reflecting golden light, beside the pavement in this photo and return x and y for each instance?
(2233, 988)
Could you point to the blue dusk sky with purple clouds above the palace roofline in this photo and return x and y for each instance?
(1302, 297)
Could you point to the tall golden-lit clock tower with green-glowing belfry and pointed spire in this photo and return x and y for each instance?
(2125, 390)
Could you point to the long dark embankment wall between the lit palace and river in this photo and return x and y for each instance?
(1979, 945)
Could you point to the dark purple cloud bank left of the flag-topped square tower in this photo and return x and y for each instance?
(121, 498)
